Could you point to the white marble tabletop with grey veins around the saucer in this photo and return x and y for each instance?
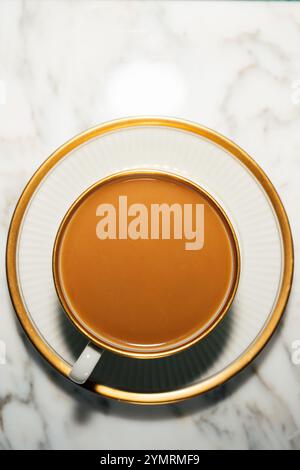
(68, 65)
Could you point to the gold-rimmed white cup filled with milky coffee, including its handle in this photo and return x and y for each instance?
(145, 264)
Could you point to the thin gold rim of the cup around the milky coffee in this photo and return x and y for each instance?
(228, 299)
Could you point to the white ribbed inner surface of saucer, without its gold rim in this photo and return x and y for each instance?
(211, 166)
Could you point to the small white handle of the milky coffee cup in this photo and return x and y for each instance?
(85, 364)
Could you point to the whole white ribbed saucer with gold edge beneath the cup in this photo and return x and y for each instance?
(207, 159)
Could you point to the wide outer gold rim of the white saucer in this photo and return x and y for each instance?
(264, 335)
